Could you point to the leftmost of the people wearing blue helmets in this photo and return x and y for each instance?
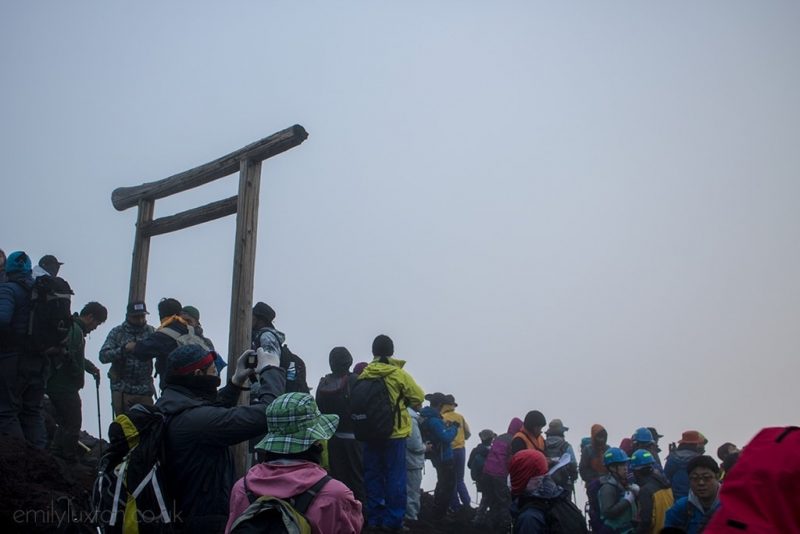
(616, 499)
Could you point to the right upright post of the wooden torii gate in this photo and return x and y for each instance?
(244, 263)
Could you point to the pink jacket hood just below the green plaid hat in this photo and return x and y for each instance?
(283, 478)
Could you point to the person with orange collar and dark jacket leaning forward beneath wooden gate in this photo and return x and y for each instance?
(165, 339)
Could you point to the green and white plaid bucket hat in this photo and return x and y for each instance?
(294, 423)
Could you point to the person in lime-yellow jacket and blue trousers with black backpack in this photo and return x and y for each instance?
(379, 400)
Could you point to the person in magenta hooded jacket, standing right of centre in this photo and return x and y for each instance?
(495, 473)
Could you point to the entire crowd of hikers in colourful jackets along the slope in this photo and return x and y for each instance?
(350, 458)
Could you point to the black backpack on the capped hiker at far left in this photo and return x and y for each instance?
(51, 318)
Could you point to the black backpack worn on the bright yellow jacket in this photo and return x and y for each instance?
(371, 410)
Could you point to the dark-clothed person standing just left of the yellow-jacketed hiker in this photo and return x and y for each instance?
(333, 396)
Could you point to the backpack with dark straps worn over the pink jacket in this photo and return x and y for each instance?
(268, 515)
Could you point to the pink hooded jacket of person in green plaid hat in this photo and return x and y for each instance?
(334, 510)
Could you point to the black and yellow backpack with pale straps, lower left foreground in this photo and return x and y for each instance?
(129, 494)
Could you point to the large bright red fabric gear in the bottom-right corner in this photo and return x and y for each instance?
(761, 493)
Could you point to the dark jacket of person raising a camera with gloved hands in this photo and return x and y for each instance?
(200, 472)
